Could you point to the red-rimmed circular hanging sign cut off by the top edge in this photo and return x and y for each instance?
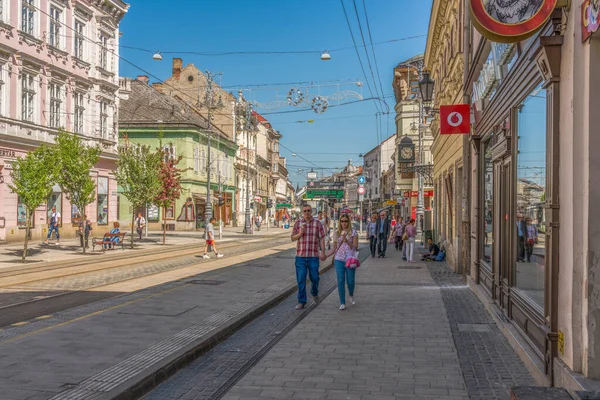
(510, 21)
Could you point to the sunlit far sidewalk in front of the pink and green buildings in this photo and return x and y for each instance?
(70, 249)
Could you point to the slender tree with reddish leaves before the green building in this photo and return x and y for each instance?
(170, 179)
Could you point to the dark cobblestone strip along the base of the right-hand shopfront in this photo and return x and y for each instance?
(489, 364)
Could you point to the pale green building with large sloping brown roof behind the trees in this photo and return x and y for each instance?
(145, 116)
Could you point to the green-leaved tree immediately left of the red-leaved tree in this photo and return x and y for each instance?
(138, 176)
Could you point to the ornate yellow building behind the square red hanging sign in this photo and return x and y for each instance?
(444, 60)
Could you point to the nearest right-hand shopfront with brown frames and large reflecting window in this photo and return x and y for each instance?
(534, 176)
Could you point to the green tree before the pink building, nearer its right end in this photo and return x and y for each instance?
(73, 160)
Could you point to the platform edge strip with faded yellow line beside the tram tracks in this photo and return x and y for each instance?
(121, 301)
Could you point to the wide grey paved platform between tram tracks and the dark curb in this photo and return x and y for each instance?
(111, 347)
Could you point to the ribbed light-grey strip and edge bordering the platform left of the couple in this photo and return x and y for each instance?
(187, 343)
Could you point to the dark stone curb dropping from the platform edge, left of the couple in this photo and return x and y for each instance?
(154, 374)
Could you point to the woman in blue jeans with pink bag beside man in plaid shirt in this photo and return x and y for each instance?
(345, 242)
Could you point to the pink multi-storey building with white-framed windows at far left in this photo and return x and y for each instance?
(58, 69)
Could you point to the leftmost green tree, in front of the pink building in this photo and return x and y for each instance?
(32, 180)
